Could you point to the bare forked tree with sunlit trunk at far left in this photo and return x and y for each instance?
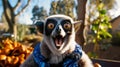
(10, 15)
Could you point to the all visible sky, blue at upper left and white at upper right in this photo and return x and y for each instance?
(25, 18)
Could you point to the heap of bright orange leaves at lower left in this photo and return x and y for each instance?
(13, 53)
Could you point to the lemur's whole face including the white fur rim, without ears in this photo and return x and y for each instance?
(58, 33)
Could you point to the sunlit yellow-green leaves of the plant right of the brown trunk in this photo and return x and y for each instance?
(100, 26)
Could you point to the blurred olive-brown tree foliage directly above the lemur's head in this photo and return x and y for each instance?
(63, 7)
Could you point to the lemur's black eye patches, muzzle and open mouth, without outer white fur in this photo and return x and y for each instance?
(59, 29)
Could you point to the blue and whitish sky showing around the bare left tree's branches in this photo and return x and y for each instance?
(25, 18)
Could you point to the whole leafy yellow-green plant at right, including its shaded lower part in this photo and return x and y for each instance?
(100, 27)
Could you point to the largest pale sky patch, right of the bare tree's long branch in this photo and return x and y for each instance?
(25, 18)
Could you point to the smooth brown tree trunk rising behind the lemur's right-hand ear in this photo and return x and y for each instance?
(81, 10)
